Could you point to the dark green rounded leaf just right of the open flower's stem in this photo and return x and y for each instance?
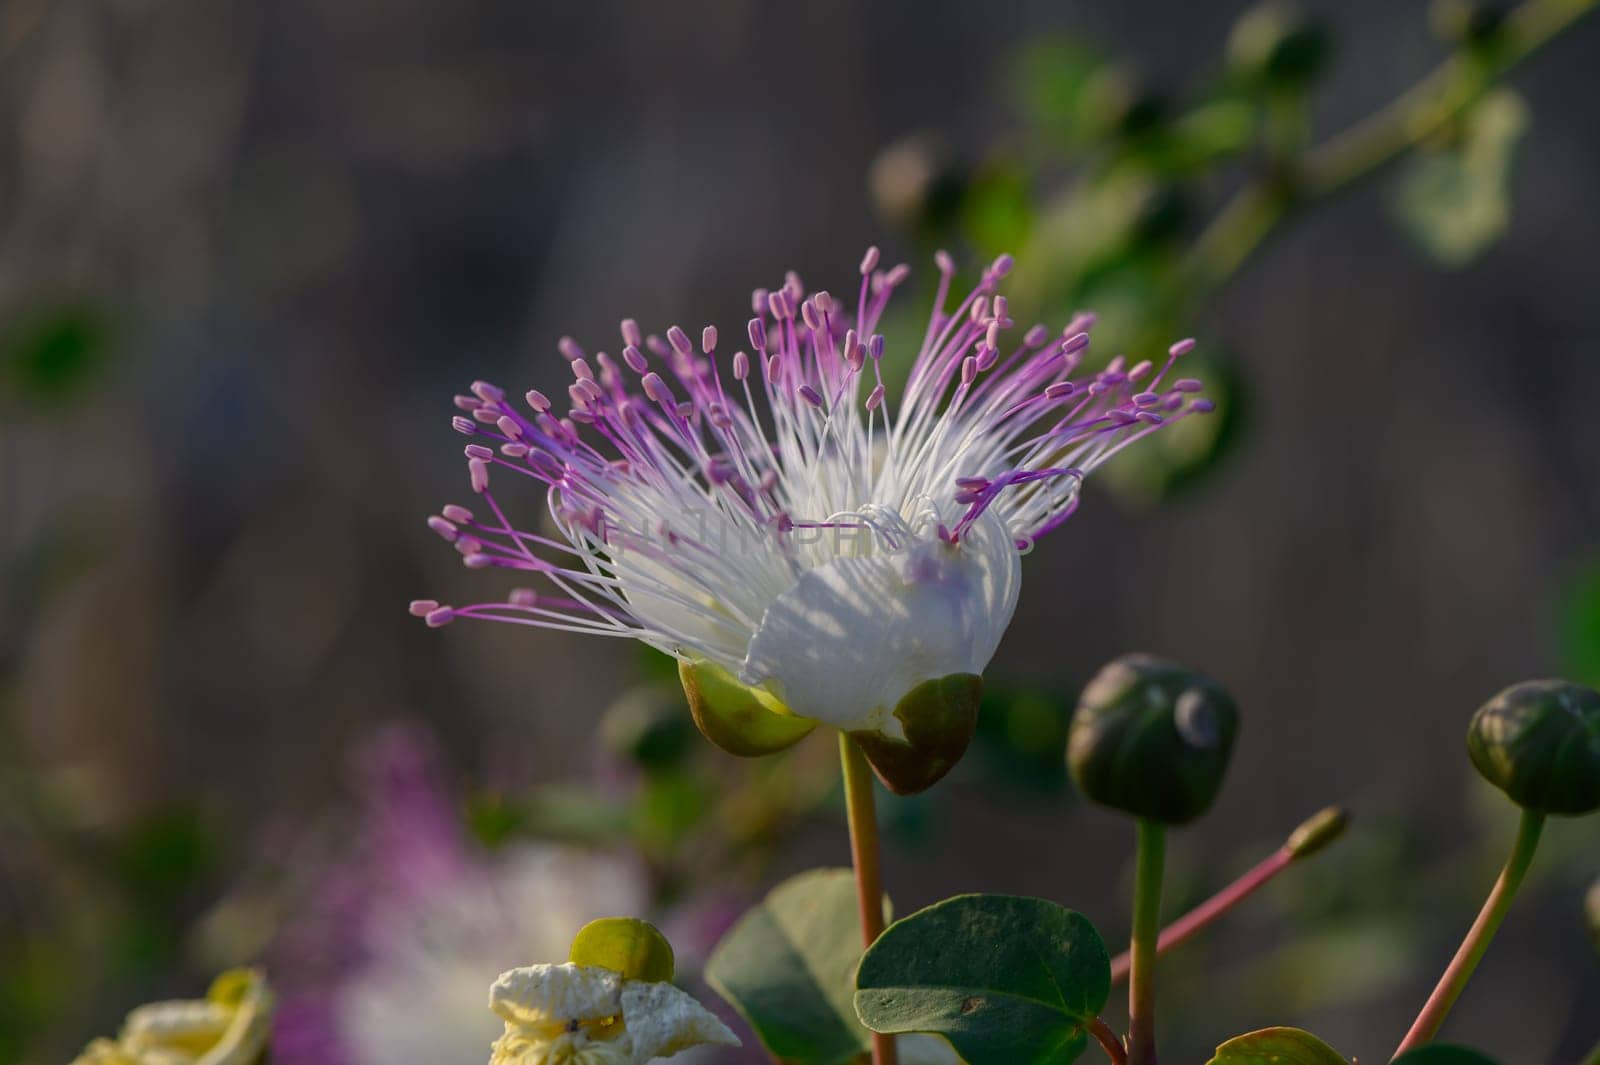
(1007, 981)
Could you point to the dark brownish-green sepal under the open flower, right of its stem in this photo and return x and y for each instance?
(938, 719)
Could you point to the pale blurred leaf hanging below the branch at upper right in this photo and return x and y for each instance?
(1457, 202)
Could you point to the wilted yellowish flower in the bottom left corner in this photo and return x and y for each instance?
(228, 1027)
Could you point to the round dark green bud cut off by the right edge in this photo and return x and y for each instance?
(1540, 744)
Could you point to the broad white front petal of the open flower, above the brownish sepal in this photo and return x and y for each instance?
(854, 636)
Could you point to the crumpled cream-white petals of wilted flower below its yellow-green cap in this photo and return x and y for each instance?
(572, 1015)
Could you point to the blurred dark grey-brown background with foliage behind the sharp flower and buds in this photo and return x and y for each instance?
(250, 250)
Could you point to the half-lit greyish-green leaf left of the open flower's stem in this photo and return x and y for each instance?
(790, 965)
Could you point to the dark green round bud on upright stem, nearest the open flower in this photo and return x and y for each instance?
(1153, 740)
